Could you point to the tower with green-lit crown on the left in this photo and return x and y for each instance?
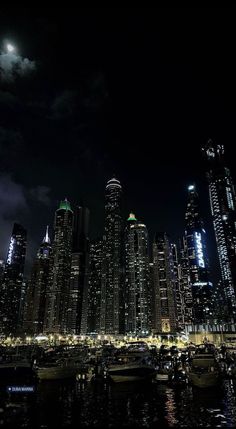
(58, 293)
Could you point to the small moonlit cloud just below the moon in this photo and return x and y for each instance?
(13, 66)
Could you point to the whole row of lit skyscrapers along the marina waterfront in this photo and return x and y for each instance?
(133, 284)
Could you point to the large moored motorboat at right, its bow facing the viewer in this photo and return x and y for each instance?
(204, 370)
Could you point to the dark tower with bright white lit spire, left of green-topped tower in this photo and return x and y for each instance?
(34, 313)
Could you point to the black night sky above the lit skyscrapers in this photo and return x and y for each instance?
(93, 92)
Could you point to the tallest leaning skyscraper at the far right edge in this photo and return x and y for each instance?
(223, 209)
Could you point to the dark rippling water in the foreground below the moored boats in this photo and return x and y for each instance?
(74, 405)
